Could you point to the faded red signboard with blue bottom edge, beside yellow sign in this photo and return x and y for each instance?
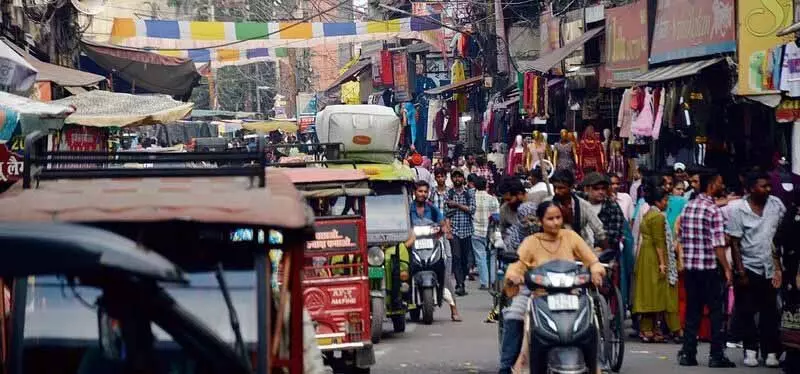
(695, 28)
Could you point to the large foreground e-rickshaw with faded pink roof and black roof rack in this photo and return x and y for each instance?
(194, 216)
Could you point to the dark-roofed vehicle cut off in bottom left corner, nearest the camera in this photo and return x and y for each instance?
(122, 279)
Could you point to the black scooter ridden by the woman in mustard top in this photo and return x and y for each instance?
(563, 334)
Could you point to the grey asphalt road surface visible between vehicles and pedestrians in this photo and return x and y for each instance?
(471, 347)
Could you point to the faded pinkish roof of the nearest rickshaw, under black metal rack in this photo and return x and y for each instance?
(209, 200)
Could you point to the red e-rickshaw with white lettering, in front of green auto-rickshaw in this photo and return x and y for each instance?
(336, 286)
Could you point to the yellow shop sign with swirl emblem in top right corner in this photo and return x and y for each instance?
(758, 23)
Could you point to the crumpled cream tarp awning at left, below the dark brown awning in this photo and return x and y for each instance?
(110, 109)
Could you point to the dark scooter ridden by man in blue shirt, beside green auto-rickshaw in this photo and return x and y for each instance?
(427, 272)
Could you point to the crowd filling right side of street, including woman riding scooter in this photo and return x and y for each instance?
(696, 259)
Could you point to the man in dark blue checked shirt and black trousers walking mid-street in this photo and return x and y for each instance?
(460, 210)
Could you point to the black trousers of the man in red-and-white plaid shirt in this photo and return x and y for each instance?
(703, 288)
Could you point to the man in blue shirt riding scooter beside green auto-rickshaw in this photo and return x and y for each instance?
(422, 211)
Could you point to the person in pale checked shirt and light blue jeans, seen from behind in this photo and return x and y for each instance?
(485, 206)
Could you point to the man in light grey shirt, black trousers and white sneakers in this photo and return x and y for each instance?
(753, 223)
